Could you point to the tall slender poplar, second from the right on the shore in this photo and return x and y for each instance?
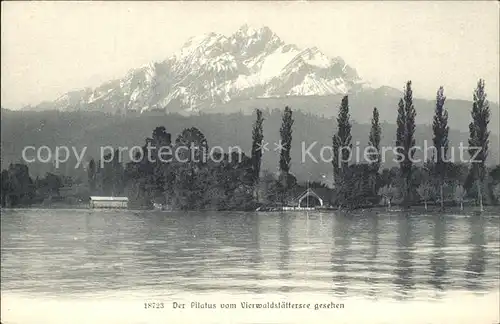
(440, 129)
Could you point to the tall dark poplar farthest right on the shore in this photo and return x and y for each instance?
(479, 136)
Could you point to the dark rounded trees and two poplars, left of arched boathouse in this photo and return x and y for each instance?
(225, 181)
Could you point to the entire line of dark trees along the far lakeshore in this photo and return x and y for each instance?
(234, 180)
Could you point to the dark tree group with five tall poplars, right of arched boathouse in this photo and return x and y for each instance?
(438, 180)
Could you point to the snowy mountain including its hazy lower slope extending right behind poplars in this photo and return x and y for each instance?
(252, 68)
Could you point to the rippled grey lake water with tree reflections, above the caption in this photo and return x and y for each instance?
(68, 252)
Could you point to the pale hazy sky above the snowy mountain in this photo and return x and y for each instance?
(49, 48)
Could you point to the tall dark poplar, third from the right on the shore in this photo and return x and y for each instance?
(405, 139)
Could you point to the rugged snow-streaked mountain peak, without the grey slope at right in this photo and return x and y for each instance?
(214, 69)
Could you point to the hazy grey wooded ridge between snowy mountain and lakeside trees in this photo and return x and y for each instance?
(95, 129)
